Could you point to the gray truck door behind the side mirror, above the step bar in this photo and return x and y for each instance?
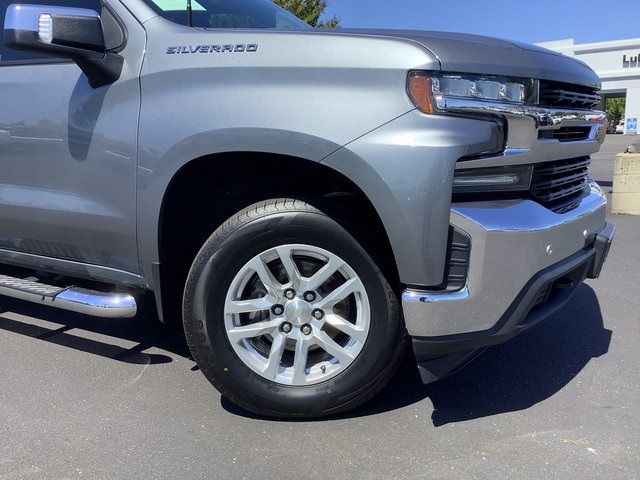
(68, 153)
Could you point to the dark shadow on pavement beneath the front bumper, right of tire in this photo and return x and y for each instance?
(509, 377)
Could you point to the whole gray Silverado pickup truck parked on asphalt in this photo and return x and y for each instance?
(307, 202)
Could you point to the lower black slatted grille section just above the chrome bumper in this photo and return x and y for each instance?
(559, 185)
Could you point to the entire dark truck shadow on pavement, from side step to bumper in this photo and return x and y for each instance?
(505, 378)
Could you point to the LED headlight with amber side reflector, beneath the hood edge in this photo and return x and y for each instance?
(428, 90)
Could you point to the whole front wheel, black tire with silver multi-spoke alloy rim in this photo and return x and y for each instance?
(287, 315)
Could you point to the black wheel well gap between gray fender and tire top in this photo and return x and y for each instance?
(222, 184)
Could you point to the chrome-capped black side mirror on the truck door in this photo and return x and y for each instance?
(74, 33)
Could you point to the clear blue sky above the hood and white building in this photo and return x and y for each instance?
(529, 21)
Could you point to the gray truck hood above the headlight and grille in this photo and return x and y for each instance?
(463, 53)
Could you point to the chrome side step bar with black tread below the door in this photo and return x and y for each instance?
(81, 300)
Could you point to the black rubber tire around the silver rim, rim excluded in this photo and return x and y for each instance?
(247, 234)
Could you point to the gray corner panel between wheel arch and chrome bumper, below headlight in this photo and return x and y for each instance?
(406, 170)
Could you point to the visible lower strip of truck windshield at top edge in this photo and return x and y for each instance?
(227, 14)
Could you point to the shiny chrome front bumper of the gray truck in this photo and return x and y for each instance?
(511, 242)
